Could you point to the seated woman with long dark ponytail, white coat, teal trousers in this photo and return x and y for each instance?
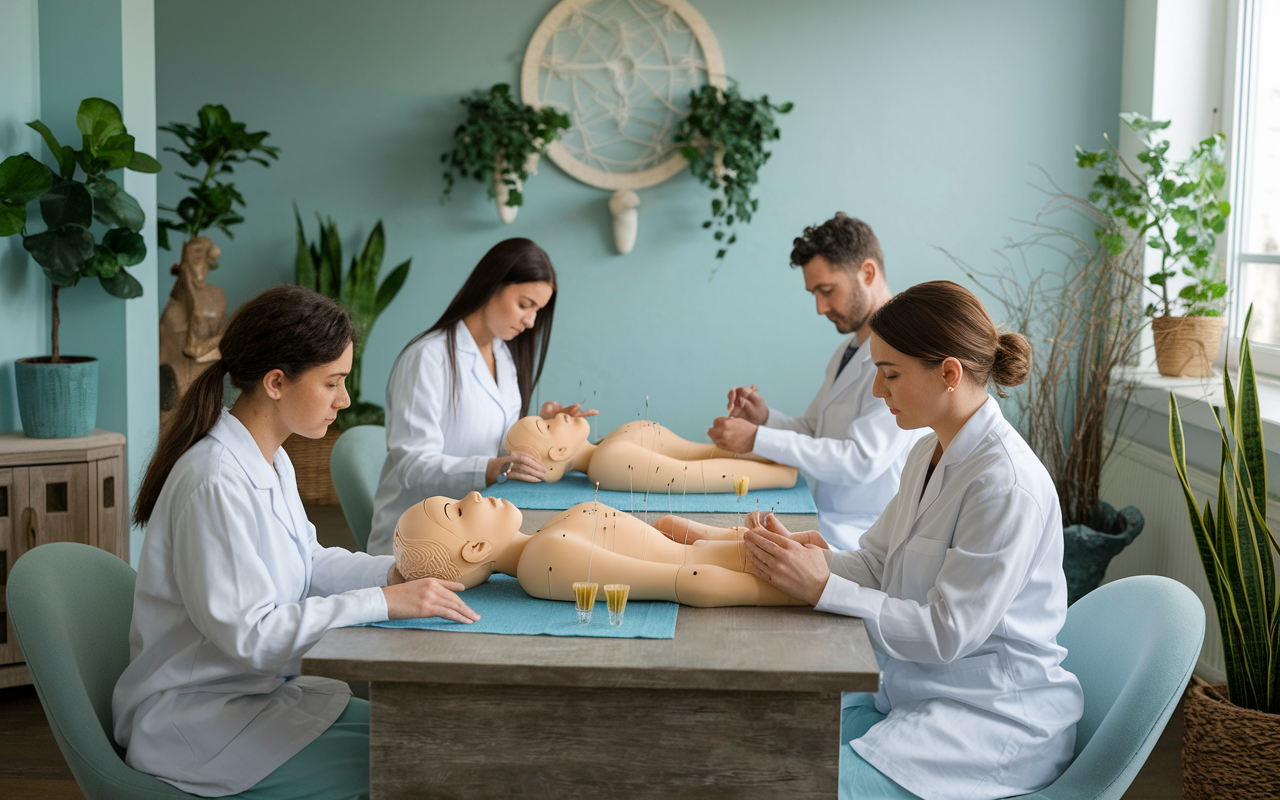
(234, 588)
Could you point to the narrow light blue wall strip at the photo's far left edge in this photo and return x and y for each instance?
(24, 290)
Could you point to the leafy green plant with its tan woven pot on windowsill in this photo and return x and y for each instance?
(1177, 208)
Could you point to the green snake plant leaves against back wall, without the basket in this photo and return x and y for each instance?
(319, 267)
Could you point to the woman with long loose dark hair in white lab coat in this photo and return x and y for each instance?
(459, 387)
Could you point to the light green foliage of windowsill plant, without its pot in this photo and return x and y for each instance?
(1176, 207)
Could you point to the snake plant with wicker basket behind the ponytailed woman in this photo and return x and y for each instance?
(319, 267)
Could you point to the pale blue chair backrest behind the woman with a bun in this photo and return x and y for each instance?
(1133, 644)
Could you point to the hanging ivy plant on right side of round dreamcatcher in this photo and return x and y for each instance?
(724, 140)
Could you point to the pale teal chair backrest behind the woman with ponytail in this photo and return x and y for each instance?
(71, 607)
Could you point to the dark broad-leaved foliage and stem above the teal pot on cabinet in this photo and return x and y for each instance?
(68, 250)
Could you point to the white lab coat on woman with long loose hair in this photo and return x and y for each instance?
(440, 445)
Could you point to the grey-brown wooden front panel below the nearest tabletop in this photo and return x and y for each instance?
(442, 740)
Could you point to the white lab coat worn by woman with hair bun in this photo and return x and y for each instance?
(963, 596)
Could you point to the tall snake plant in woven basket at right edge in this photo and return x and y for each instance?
(1232, 734)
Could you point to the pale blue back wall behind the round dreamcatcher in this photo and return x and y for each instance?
(921, 117)
